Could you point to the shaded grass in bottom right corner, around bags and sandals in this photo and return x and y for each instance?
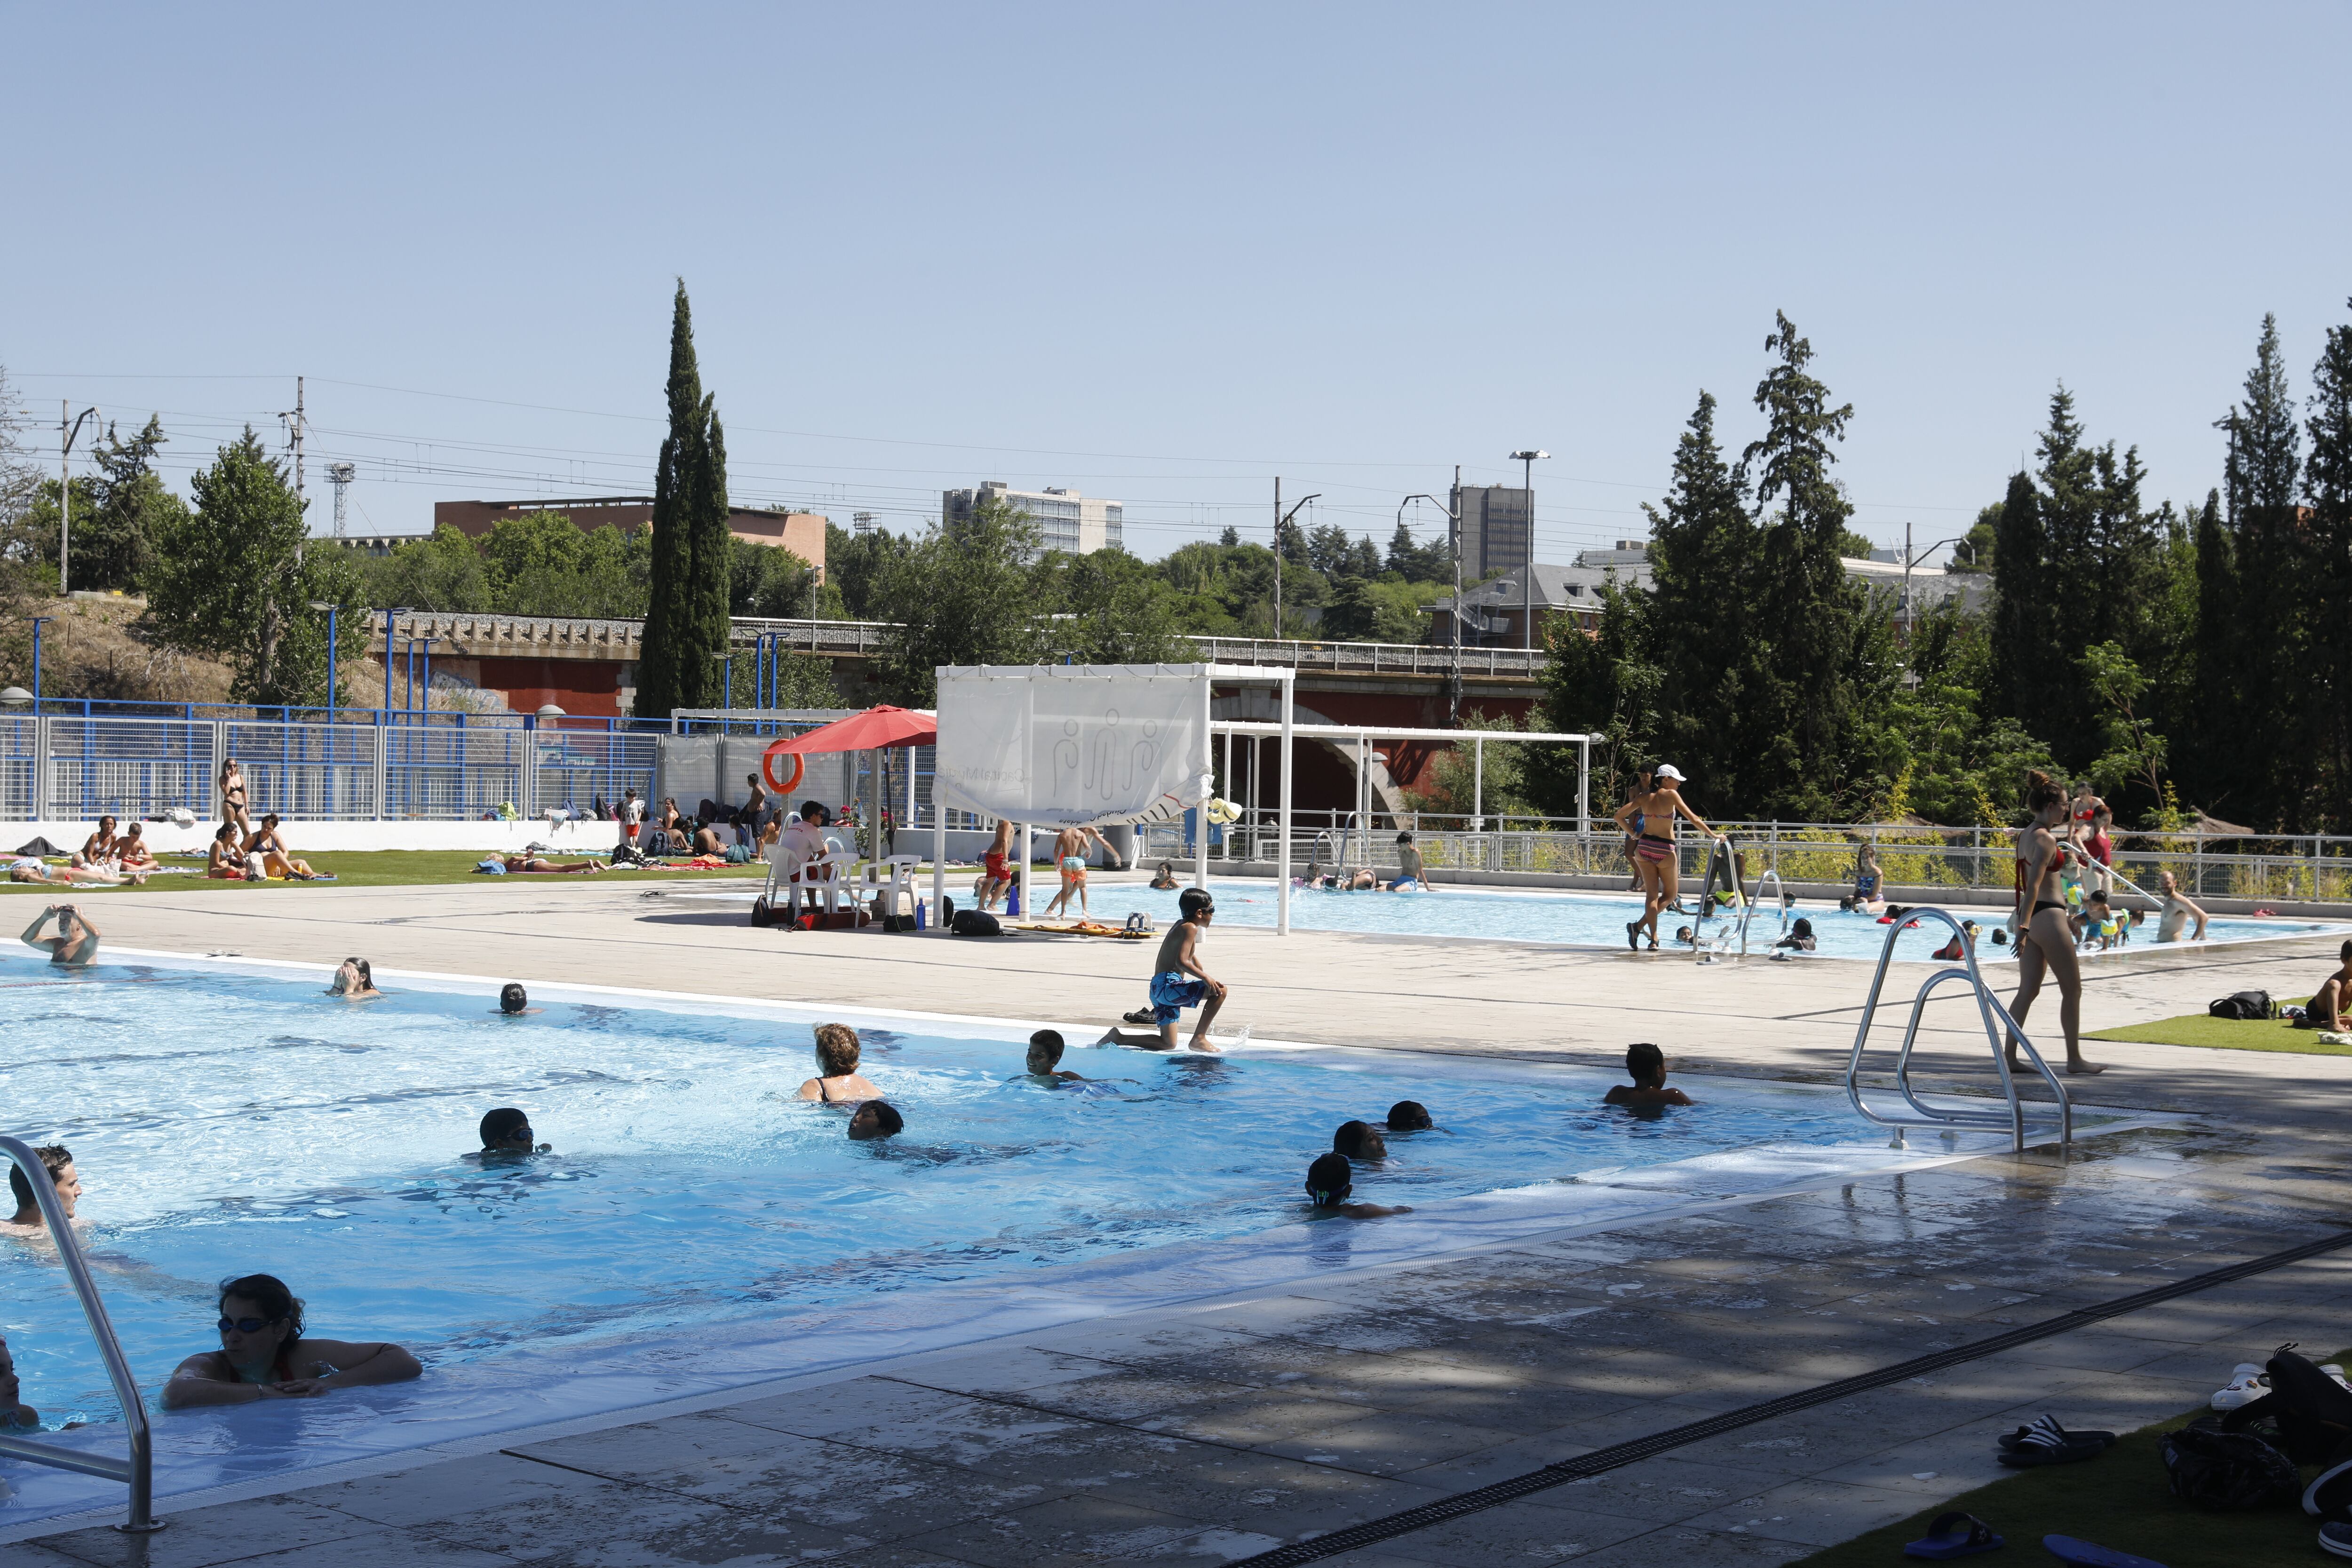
(2118, 1501)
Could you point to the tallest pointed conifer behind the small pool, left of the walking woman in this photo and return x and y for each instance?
(1803, 716)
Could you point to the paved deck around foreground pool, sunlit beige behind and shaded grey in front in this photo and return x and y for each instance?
(1227, 1428)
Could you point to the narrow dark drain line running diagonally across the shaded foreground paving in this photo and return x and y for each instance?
(1617, 1456)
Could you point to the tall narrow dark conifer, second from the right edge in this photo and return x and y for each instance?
(2264, 650)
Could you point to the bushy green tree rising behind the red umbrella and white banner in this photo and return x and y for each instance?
(961, 598)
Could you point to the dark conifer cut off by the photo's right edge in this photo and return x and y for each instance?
(2327, 584)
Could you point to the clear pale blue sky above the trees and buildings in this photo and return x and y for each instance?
(1170, 253)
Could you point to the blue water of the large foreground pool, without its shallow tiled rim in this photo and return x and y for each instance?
(239, 1123)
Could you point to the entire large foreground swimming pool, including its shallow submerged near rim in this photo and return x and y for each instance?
(702, 1228)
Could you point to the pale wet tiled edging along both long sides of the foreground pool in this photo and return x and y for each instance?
(615, 1381)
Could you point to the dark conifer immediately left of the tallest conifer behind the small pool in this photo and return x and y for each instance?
(1706, 554)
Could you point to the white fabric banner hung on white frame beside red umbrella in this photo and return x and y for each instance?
(1074, 746)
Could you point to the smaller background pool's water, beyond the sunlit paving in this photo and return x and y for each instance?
(1582, 920)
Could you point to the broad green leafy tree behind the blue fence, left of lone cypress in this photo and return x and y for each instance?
(234, 579)
